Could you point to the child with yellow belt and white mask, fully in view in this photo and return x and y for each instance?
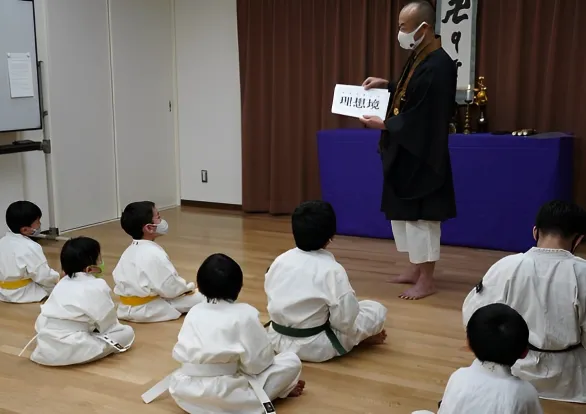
(149, 287)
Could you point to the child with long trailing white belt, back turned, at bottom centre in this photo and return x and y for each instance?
(228, 362)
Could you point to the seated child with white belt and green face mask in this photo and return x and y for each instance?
(78, 323)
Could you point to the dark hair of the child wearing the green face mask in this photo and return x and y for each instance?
(78, 254)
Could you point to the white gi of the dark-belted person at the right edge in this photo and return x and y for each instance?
(548, 288)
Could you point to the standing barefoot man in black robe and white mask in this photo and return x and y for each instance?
(418, 192)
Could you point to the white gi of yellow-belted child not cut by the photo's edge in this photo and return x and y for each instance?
(145, 270)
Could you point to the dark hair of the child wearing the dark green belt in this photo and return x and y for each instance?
(314, 225)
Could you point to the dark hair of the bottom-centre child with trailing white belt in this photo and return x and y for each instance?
(220, 278)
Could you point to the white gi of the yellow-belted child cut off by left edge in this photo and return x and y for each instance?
(22, 258)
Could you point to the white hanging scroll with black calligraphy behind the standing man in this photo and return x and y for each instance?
(457, 19)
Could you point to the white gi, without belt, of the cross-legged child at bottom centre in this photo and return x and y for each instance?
(221, 333)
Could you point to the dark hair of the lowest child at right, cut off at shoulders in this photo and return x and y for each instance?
(498, 333)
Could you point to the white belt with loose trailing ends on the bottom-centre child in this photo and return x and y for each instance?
(211, 370)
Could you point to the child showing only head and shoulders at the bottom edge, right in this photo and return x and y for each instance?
(498, 336)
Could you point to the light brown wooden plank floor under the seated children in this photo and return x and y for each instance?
(425, 343)
